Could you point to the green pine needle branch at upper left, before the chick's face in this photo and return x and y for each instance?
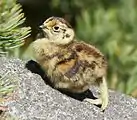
(12, 35)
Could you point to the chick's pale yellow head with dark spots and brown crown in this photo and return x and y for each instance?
(58, 30)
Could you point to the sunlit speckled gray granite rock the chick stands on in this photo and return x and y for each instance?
(38, 101)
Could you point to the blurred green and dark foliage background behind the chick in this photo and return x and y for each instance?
(110, 25)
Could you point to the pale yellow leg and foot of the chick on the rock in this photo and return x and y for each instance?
(103, 100)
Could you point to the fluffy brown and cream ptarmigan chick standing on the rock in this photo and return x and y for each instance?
(70, 65)
